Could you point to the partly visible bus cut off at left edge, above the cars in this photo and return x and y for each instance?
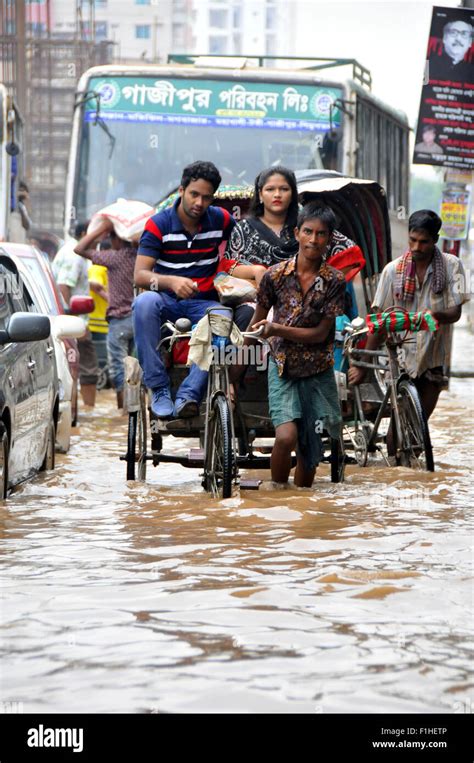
(12, 225)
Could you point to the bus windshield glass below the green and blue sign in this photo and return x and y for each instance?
(145, 163)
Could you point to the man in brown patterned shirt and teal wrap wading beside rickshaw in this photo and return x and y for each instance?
(306, 295)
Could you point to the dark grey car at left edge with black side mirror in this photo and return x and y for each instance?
(29, 385)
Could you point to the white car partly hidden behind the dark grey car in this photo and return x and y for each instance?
(65, 329)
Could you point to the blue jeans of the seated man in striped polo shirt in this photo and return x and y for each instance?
(150, 310)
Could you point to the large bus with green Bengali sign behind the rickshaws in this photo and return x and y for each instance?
(136, 126)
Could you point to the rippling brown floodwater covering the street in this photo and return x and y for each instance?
(129, 597)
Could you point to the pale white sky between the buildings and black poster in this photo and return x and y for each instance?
(388, 38)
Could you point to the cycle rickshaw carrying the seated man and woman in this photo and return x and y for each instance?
(229, 432)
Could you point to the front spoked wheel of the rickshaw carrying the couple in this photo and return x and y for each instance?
(218, 463)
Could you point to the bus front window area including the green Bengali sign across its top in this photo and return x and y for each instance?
(152, 132)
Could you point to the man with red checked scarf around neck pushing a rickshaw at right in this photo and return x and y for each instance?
(423, 279)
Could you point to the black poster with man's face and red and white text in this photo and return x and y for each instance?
(445, 133)
